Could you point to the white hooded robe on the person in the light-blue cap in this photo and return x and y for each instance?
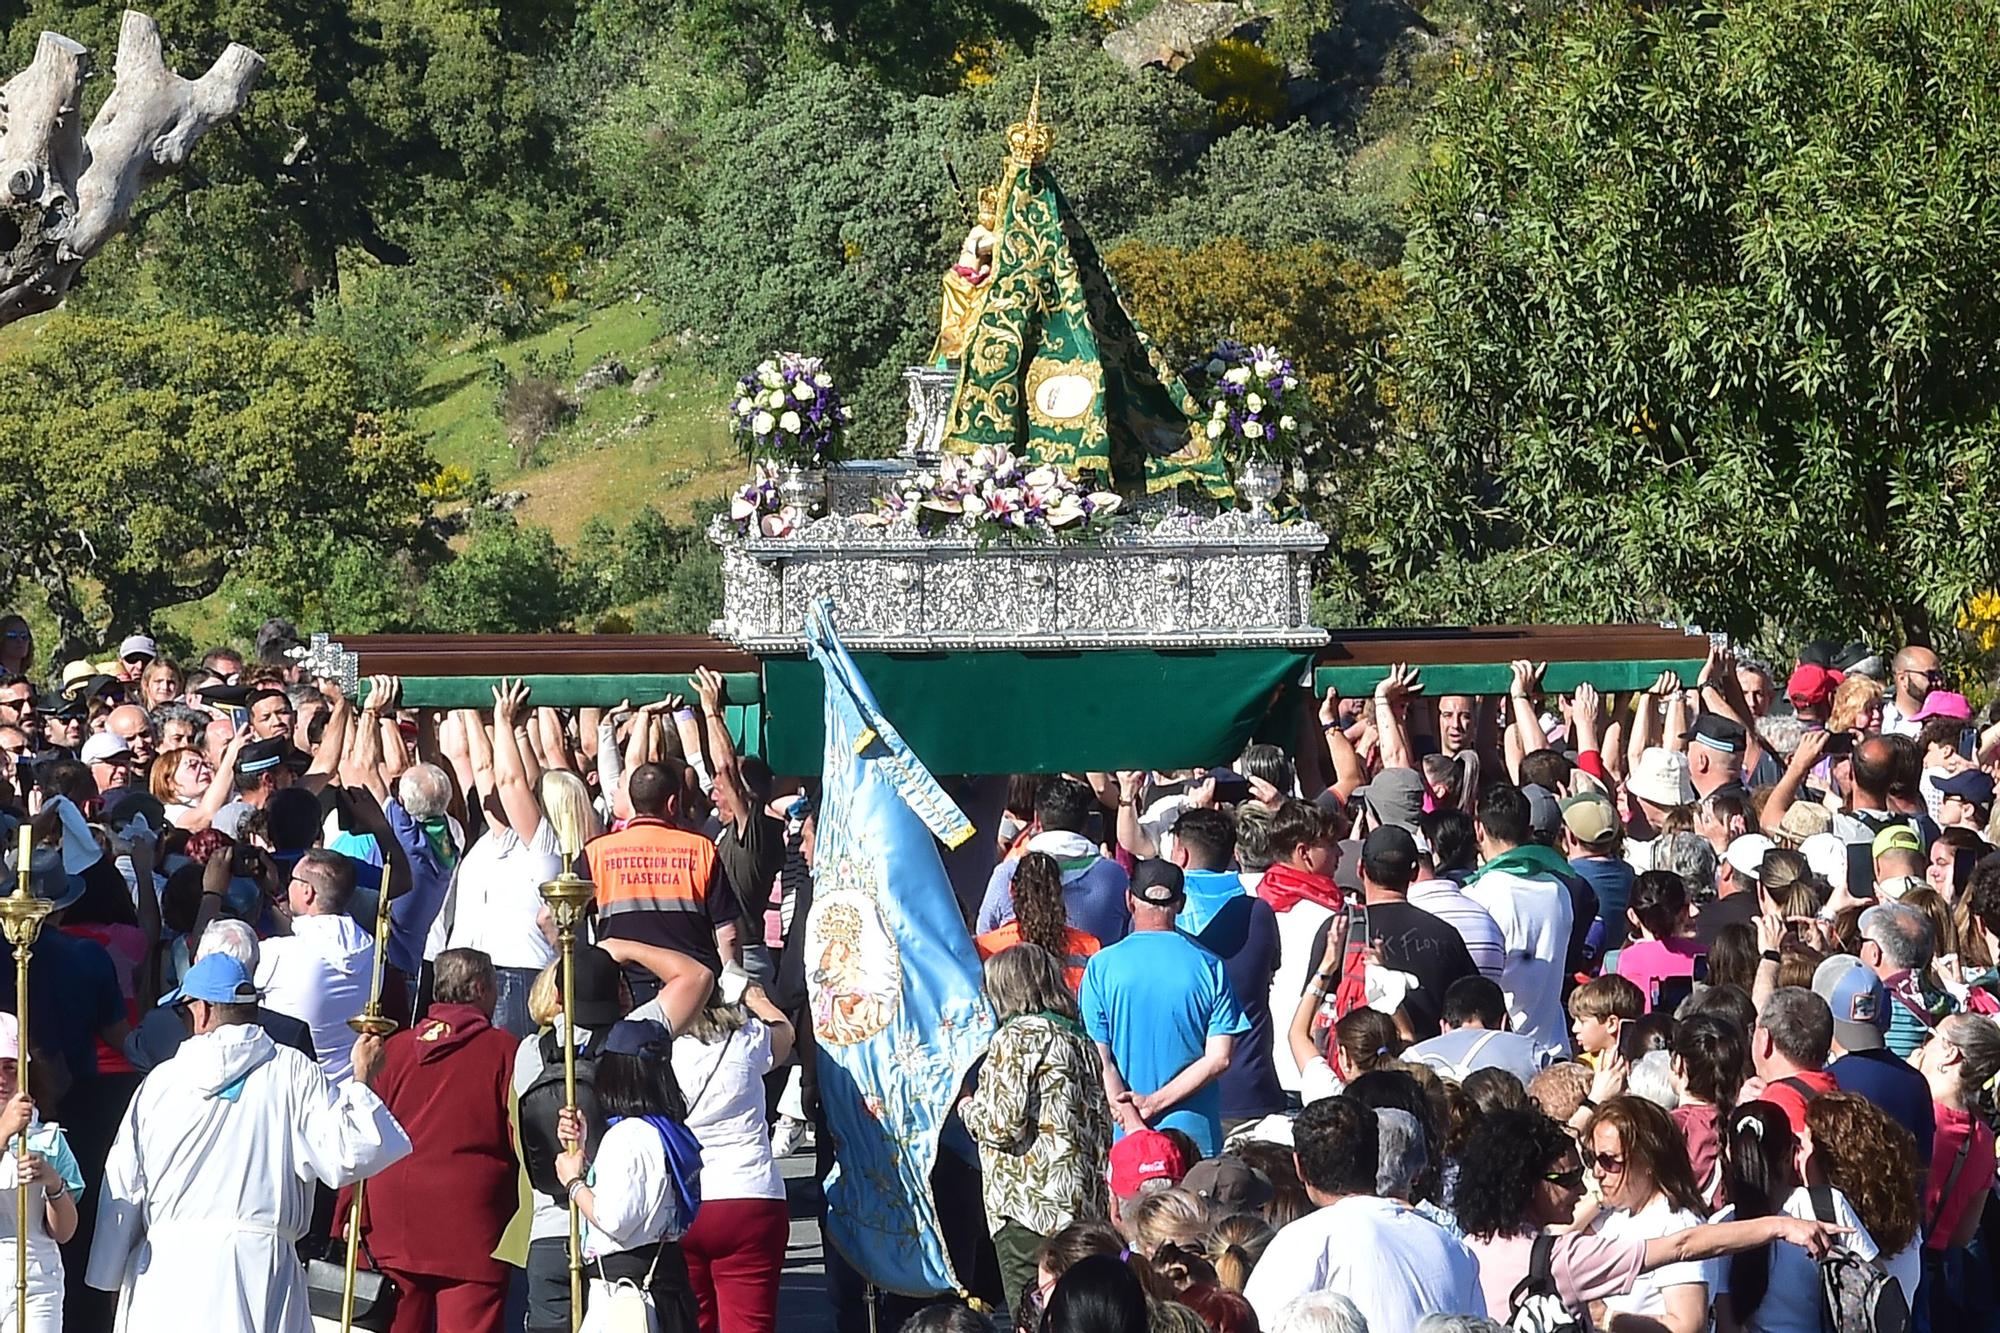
(209, 1186)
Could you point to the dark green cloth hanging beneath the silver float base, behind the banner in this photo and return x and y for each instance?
(1045, 712)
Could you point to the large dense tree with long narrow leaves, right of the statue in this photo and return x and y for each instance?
(1703, 317)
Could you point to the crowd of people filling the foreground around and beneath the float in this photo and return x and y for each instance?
(1655, 1012)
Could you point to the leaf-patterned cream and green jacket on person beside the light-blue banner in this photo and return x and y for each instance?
(1043, 1126)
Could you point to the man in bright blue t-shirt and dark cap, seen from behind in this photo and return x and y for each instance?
(1155, 1000)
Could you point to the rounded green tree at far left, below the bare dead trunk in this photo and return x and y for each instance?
(141, 465)
